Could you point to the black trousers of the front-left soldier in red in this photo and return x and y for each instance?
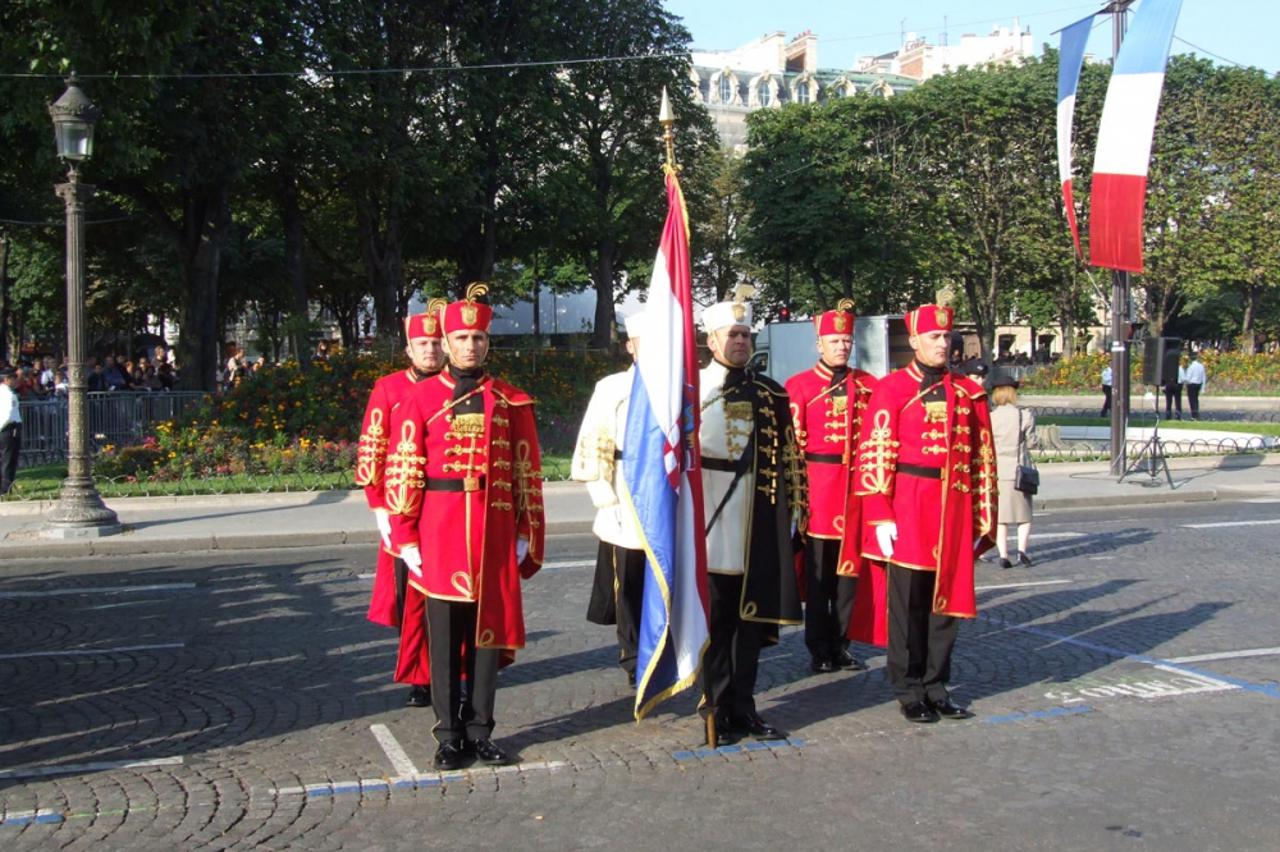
(451, 625)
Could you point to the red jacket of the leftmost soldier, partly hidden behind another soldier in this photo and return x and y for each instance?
(388, 393)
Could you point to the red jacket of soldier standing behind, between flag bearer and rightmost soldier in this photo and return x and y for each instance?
(828, 422)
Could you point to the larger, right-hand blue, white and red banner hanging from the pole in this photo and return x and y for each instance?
(1119, 193)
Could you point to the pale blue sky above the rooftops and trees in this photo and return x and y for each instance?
(1237, 31)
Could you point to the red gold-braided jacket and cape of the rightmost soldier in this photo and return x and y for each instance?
(944, 519)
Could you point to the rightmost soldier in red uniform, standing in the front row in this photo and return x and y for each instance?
(927, 477)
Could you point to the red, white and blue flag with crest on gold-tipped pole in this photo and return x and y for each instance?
(664, 474)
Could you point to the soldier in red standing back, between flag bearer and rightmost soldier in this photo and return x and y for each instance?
(828, 405)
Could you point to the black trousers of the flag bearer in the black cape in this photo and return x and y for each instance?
(734, 653)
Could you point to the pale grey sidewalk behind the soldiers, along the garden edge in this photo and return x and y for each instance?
(258, 521)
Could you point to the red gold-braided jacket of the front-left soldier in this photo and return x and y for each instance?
(469, 485)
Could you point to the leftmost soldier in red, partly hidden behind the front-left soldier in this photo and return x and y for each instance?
(392, 603)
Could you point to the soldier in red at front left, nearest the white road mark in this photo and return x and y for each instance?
(464, 487)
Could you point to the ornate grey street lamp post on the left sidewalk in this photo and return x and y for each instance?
(80, 512)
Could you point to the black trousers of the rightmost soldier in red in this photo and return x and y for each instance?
(920, 643)
